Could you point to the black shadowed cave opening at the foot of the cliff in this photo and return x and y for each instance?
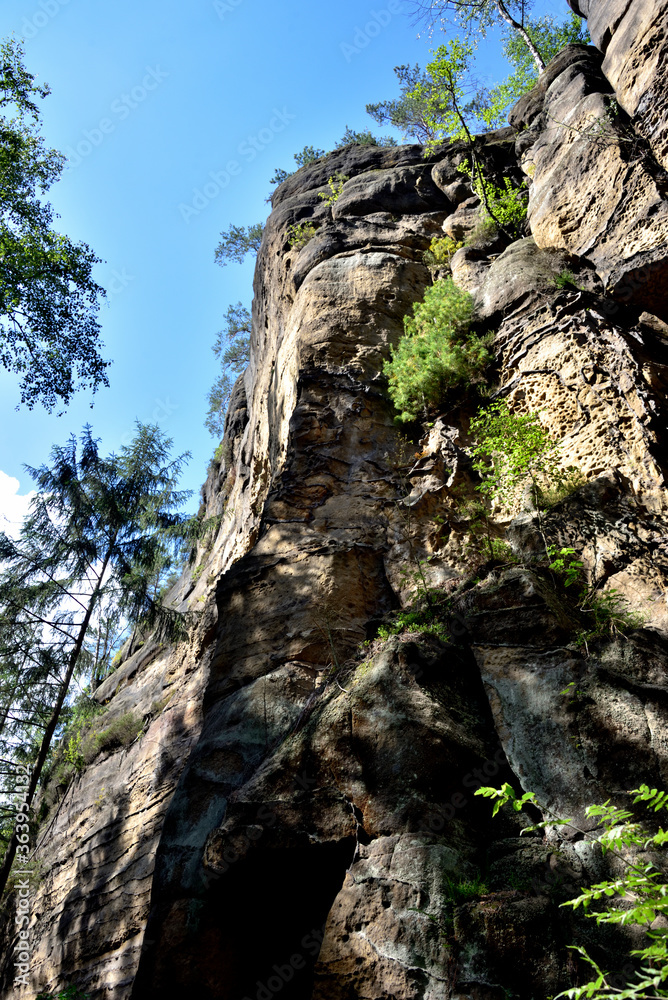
(260, 914)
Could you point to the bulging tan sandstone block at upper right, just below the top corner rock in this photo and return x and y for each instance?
(597, 189)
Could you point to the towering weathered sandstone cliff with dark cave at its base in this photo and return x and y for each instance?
(299, 815)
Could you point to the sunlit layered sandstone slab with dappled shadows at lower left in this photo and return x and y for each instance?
(97, 847)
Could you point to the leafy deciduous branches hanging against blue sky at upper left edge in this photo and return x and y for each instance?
(49, 334)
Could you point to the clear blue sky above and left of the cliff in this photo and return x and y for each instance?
(152, 101)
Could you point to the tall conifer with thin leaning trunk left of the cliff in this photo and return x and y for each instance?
(96, 531)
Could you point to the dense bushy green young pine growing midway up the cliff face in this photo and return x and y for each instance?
(437, 351)
